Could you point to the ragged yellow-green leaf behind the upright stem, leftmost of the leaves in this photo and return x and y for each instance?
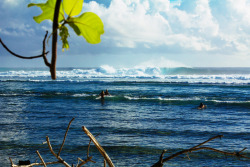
(48, 9)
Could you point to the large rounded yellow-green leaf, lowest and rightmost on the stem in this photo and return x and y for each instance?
(89, 25)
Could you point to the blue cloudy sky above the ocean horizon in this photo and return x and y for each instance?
(165, 33)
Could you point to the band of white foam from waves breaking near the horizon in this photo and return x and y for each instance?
(109, 73)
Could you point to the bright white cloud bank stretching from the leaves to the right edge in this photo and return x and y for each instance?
(201, 26)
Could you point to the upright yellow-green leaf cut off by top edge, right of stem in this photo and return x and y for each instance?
(72, 7)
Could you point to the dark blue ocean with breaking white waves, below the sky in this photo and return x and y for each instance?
(150, 109)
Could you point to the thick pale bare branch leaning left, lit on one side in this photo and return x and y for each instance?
(98, 146)
